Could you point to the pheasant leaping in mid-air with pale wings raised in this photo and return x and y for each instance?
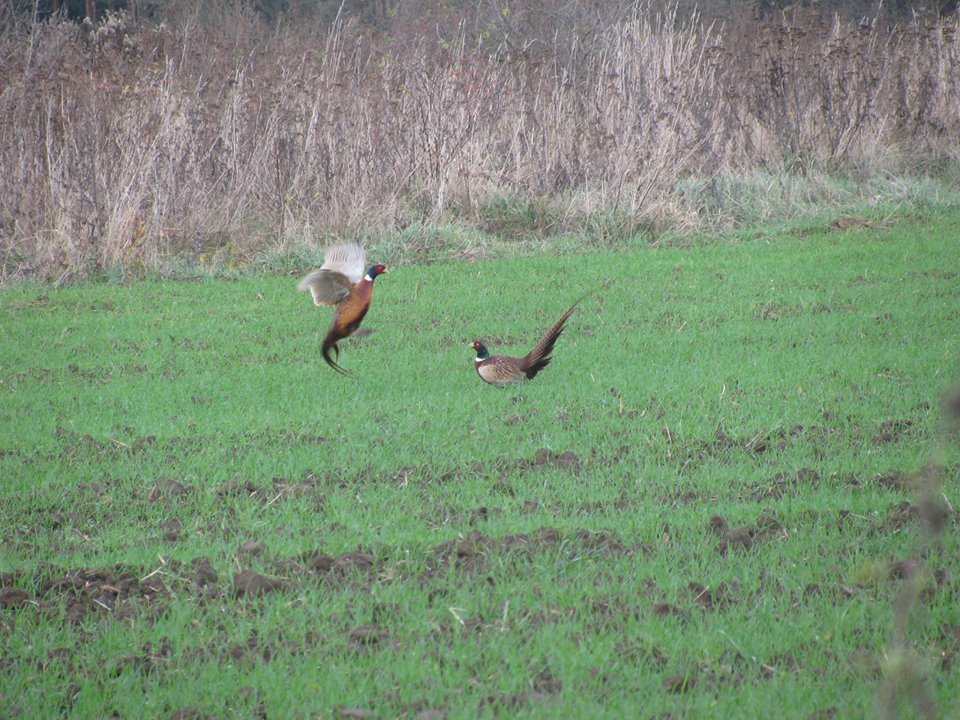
(341, 282)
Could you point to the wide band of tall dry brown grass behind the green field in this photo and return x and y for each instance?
(124, 143)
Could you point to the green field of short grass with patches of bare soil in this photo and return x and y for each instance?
(428, 546)
